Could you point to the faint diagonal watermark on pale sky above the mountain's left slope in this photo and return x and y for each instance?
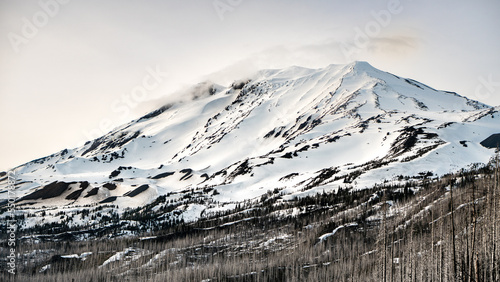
(122, 107)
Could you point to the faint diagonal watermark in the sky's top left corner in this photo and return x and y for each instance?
(30, 28)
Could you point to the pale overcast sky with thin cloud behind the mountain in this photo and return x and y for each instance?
(68, 69)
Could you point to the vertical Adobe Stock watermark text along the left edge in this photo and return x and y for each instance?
(11, 223)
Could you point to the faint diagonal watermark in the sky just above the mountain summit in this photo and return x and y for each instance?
(372, 29)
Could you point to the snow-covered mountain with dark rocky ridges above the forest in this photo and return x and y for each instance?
(286, 133)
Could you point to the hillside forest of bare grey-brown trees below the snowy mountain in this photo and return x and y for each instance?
(426, 228)
